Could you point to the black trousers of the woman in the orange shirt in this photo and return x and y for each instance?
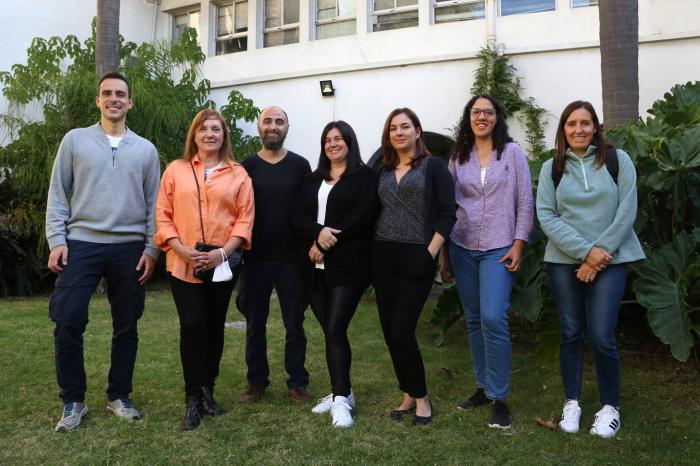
(202, 310)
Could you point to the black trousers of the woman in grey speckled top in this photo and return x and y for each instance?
(403, 275)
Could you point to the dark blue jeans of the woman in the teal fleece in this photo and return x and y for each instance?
(589, 309)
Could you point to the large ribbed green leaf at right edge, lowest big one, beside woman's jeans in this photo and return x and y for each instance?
(661, 287)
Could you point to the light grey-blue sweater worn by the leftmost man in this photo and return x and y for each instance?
(100, 196)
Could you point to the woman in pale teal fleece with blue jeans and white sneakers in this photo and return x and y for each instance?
(587, 208)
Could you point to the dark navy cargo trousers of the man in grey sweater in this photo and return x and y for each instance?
(68, 308)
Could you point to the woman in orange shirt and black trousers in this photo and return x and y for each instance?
(207, 185)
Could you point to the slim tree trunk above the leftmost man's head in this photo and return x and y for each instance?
(107, 36)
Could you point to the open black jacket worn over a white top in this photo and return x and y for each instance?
(352, 207)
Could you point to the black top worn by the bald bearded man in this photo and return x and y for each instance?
(276, 187)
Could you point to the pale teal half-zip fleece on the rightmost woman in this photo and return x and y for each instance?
(588, 209)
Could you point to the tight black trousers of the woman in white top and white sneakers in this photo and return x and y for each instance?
(334, 307)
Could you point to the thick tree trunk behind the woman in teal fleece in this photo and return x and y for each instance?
(619, 54)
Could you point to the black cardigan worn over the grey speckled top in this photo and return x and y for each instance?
(440, 205)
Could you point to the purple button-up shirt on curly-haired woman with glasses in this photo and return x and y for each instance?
(496, 214)
